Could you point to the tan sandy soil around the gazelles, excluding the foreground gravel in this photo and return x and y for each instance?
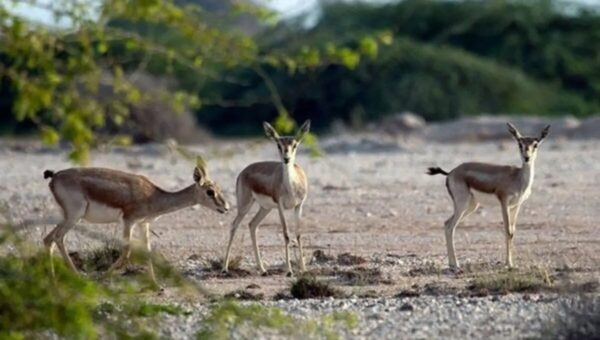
(367, 196)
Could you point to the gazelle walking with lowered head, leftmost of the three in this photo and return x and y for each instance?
(100, 195)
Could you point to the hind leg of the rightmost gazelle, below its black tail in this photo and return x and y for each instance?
(464, 204)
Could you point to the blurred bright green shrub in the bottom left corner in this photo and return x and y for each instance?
(31, 301)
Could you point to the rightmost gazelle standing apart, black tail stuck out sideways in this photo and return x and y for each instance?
(511, 185)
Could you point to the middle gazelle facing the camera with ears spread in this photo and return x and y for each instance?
(280, 185)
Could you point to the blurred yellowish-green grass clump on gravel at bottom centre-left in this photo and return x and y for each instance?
(250, 321)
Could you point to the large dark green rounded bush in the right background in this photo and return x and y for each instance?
(447, 59)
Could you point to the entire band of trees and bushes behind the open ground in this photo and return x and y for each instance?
(115, 71)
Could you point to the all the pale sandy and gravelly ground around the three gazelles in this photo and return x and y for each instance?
(369, 196)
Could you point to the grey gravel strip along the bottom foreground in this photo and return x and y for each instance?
(449, 317)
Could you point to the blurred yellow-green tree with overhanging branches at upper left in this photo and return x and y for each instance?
(52, 74)
